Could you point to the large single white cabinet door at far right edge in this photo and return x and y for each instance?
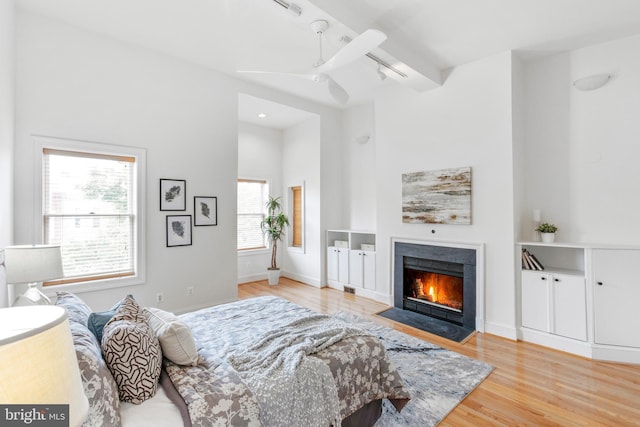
(616, 296)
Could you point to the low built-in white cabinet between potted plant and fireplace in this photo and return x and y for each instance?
(351, 260)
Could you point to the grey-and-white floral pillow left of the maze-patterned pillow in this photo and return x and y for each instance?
(99, 385)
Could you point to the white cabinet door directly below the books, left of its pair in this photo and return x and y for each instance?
(535, 300)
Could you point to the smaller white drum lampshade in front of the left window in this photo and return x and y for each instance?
(32, 263)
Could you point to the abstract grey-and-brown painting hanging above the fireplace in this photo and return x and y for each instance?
(437, 197)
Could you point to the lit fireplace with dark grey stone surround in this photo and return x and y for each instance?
(436, 281)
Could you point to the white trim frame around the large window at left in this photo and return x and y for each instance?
(42, 141)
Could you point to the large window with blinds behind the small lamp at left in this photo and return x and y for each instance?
(91, 207)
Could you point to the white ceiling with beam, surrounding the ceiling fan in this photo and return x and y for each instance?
(424, 37)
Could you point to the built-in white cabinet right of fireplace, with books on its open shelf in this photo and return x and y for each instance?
(585, 301)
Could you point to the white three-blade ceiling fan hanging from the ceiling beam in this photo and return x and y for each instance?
(357, 48)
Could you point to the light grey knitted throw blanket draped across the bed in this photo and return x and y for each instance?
(292, 388)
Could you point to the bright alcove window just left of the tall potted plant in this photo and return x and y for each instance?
(252, 195)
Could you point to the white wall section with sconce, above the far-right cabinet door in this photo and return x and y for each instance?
(605, 145)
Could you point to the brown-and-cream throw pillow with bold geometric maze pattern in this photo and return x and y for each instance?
(132, 353)
